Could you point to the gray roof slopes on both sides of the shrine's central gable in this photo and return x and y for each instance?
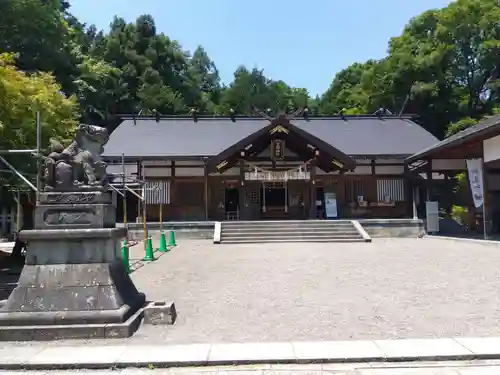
(182, 137)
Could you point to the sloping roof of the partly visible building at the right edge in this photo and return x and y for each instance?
(483, 129)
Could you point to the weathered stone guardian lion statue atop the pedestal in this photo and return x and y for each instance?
(79, 165)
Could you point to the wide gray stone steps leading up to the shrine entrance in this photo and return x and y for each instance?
(292, 231)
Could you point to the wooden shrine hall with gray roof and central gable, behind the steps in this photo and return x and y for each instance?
(246, 168)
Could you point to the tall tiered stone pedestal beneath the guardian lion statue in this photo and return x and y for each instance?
(74, 284)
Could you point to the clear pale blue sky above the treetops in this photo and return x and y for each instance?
(303, 43)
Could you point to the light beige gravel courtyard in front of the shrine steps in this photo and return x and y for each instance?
(391, 288)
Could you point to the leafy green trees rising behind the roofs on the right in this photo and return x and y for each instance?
(443, 67)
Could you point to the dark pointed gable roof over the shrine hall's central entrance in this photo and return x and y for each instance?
(282, 128)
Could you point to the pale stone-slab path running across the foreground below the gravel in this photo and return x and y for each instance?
(384, 352)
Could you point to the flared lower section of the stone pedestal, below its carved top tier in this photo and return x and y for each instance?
(72, 276)
